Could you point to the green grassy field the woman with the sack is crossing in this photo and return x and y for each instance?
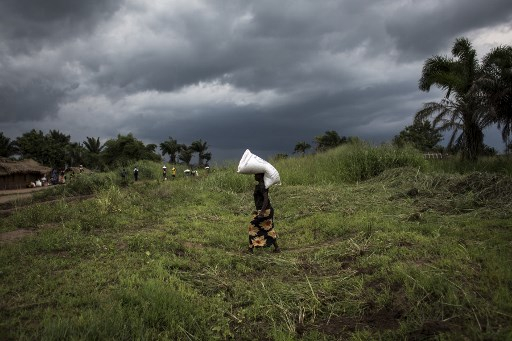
(378, 243)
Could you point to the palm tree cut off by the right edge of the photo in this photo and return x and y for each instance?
(496, 85)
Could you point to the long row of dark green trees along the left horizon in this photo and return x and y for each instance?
(55, 149)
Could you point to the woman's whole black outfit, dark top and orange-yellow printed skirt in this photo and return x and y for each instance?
(261, 229)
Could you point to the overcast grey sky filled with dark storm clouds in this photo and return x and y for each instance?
(237, 74)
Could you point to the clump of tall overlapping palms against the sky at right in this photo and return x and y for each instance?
(476, 95)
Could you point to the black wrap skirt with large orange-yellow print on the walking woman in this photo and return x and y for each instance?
(261, 229)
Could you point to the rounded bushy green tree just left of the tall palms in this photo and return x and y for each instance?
(421, 134)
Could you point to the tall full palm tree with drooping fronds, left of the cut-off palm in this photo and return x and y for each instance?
(461, 109)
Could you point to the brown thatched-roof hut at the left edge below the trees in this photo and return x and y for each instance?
(19, 174)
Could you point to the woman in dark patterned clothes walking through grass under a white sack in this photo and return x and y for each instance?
(261, 228)
